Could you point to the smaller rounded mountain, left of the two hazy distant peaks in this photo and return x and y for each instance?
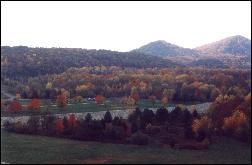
(164, 49)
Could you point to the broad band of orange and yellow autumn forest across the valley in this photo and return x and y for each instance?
(179, 84)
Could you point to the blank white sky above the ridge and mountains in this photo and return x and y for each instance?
(121, 26)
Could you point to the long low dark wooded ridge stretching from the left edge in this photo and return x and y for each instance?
(22, 61)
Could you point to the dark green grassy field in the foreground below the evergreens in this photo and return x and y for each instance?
(17, 148)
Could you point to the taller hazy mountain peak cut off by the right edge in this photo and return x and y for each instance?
(235, 45)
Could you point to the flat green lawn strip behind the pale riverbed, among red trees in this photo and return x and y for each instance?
(86, 106)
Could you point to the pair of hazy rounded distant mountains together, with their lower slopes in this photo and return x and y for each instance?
(234, 51)
